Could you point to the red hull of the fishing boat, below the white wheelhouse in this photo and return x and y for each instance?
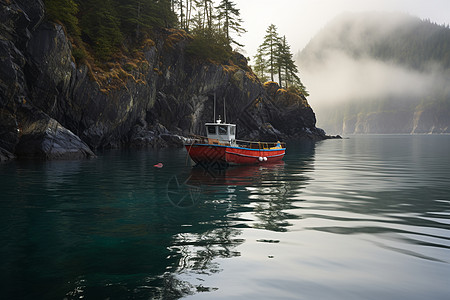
(229, 155)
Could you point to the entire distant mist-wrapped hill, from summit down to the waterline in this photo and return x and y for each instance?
(380, 73)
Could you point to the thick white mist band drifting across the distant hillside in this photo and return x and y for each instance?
(340, 78)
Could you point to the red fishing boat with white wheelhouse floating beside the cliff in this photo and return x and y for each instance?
(220, 146)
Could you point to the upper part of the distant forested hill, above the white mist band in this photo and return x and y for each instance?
(393, 37)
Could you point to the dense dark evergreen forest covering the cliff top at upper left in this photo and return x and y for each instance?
(104, 29)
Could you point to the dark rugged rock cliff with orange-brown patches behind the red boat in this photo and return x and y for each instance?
(50, 107)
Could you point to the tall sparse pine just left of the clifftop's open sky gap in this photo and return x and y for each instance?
(230, 15)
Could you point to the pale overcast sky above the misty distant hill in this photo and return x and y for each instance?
(300, 20)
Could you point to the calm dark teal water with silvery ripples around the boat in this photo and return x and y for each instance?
(361, 218)
